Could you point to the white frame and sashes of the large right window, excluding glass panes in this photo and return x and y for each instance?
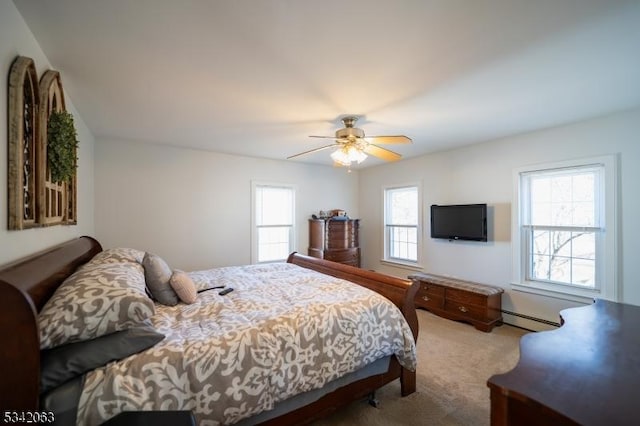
(606, 234)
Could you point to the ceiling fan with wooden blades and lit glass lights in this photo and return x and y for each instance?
(352, 145)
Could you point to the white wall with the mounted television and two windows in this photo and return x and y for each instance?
(483, 174)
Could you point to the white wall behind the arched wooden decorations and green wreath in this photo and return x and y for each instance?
(17, 40)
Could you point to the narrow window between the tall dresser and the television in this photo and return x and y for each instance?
(401, 213)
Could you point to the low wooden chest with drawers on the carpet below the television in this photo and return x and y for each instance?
(460, 300)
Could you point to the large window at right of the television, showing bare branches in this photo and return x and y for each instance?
(565, 237)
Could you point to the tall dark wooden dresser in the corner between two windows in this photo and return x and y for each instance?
(335, 240)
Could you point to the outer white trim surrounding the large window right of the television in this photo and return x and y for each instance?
(608, 275)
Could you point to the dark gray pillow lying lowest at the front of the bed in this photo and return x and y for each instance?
(63, 363)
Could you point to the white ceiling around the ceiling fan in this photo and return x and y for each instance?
(256, 78)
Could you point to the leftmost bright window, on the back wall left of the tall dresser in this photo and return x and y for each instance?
(274, 222)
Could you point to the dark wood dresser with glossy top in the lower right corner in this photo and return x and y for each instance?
(586, 372)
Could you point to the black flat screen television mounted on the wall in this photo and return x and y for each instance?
(459, 222)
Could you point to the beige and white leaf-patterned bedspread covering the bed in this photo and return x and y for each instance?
(283, 330)
